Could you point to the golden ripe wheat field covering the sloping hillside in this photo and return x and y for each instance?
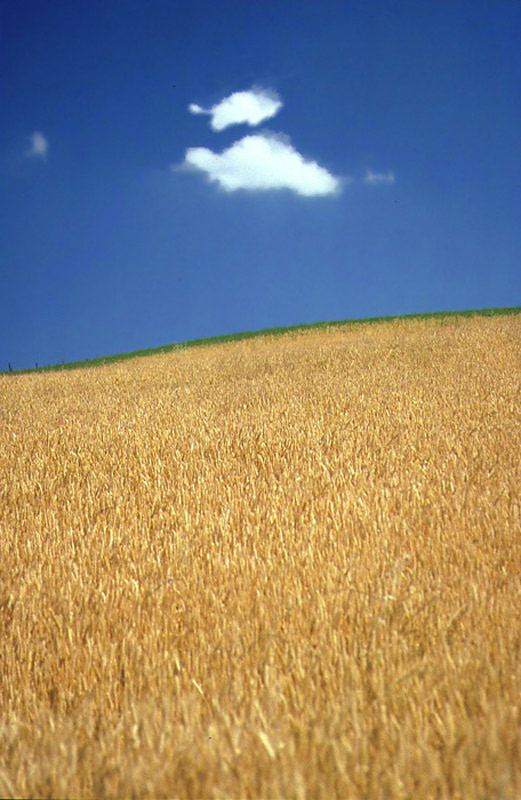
(286, 567)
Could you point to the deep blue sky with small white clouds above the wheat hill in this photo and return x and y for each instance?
(353, 159)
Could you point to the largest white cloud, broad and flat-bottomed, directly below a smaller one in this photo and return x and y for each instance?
(261, 162)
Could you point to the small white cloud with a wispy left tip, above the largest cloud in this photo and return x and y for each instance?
(251, 107)
